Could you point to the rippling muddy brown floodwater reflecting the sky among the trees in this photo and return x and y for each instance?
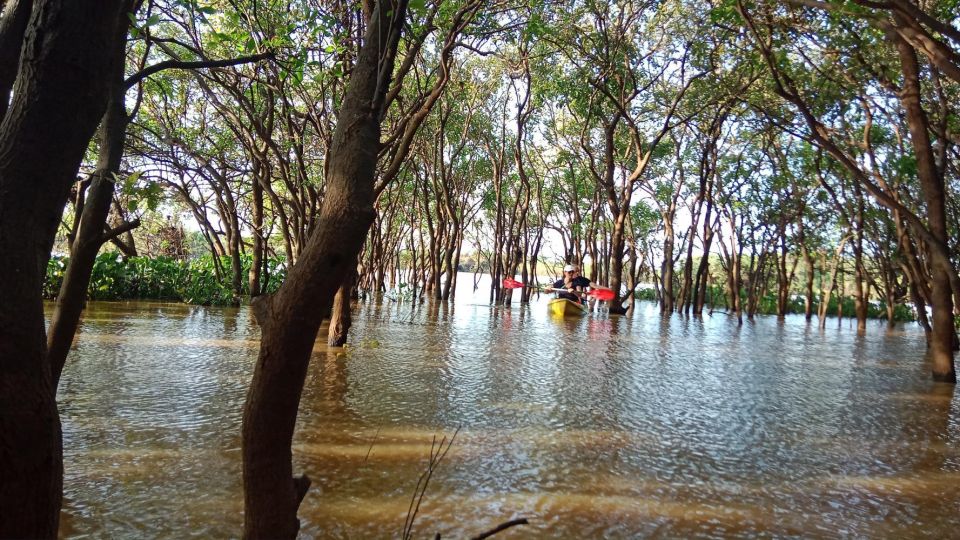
(601, 427)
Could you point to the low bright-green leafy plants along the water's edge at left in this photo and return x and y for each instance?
(162, 278)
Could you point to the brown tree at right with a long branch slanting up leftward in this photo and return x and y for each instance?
(903, 84)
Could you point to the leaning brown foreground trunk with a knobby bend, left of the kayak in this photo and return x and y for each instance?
(290, 319)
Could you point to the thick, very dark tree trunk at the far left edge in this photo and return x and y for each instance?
(59, 97)
